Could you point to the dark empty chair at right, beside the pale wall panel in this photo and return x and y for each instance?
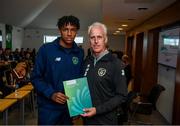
(145, 105)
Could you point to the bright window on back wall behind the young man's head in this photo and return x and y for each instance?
(49, 38)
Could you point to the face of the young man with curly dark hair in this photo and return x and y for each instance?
(68, 34)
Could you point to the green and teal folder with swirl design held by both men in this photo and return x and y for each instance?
(79, 96)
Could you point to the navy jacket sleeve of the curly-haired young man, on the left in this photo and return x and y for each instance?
(37, 76)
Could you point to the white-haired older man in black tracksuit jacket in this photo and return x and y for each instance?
(106, 80)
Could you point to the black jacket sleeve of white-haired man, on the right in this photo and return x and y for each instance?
(120, 89)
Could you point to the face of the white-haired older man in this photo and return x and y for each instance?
(97, 40)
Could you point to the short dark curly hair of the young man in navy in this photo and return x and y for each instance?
(65, 20)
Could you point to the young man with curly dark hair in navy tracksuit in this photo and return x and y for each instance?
(56, 62)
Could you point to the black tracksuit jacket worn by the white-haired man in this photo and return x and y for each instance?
(108, 89)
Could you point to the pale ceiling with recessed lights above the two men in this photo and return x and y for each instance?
(45, 13)
